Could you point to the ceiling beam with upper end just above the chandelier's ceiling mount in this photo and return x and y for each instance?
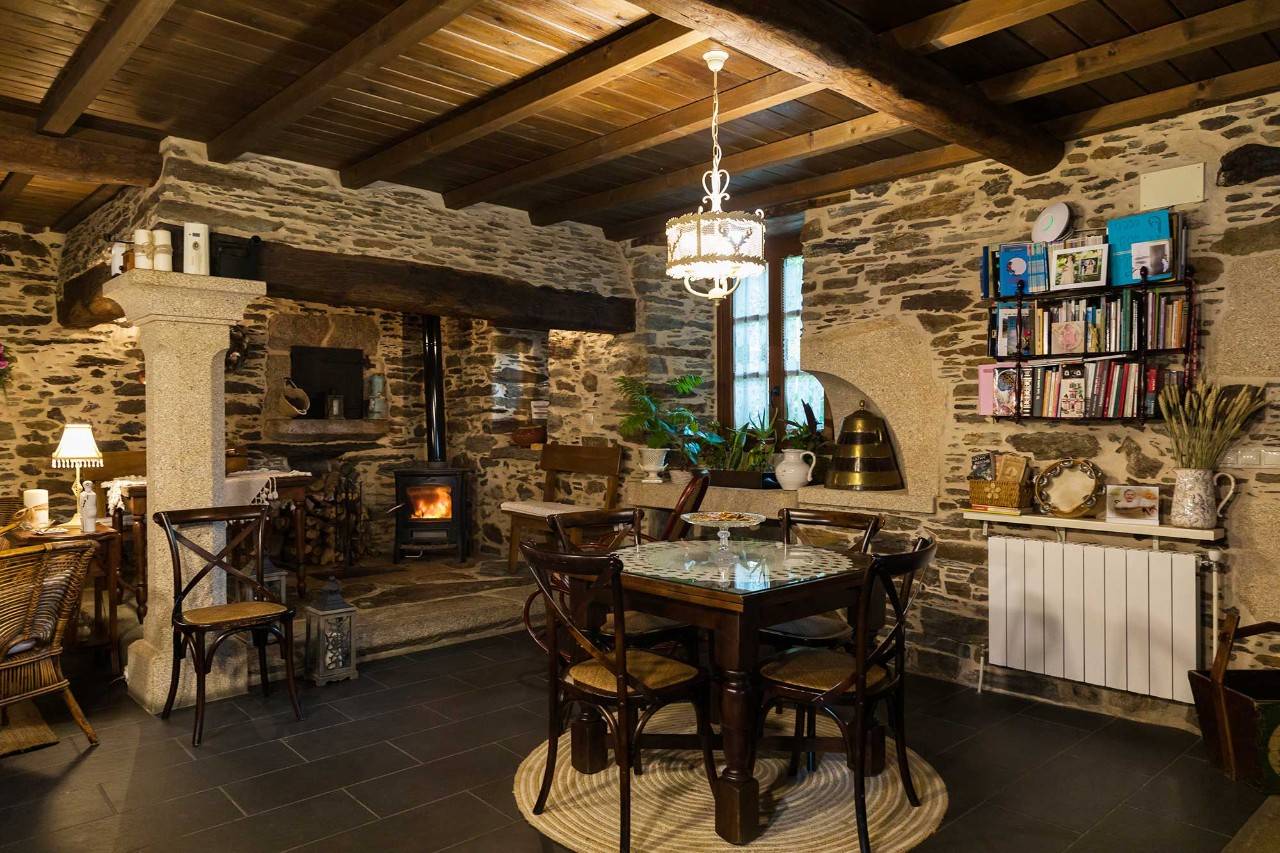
(634, 49)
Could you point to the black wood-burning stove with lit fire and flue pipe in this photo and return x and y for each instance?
(433, 505)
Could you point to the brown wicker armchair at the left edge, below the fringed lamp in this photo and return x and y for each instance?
(39, 596)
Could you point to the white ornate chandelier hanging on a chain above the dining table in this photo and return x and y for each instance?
(714, 247)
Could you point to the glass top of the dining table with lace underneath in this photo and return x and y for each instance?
(748, 567)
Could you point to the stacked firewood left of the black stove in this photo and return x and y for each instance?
(337, 521)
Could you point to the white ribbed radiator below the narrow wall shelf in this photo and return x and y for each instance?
(1119, 618)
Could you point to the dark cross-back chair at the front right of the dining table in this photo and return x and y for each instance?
(821, 679)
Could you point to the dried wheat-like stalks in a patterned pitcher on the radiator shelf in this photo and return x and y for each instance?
(1203, 421)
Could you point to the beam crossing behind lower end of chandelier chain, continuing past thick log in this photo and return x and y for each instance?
(1133, 52)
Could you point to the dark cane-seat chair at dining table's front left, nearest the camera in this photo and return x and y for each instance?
(627, 686)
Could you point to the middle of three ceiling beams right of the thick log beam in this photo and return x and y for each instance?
(1178, 39)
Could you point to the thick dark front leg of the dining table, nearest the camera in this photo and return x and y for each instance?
(738, 793)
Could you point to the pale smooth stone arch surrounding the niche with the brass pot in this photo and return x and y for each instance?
(890, 366)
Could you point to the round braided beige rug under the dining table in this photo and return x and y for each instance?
(673, 809)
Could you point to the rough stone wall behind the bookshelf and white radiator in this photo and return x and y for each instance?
(909, 252)
